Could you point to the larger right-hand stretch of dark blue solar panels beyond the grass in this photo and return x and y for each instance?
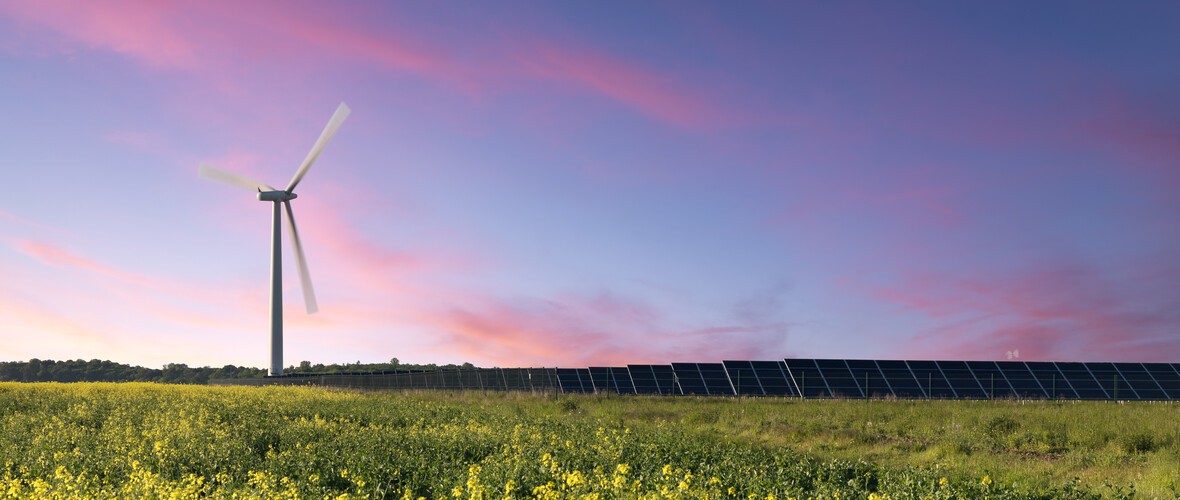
(883, 379)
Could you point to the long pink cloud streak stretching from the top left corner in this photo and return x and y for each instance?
(219, 42)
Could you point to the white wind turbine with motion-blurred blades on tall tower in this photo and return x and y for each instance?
(283, 199)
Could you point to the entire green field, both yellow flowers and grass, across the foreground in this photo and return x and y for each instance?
(143, 440)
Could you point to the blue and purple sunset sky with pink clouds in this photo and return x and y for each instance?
(562, 183)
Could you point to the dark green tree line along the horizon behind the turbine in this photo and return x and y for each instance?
(101, 371)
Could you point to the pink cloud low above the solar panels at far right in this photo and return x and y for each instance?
(1059, 312)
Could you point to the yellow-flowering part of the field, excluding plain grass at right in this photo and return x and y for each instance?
(143, 440)
